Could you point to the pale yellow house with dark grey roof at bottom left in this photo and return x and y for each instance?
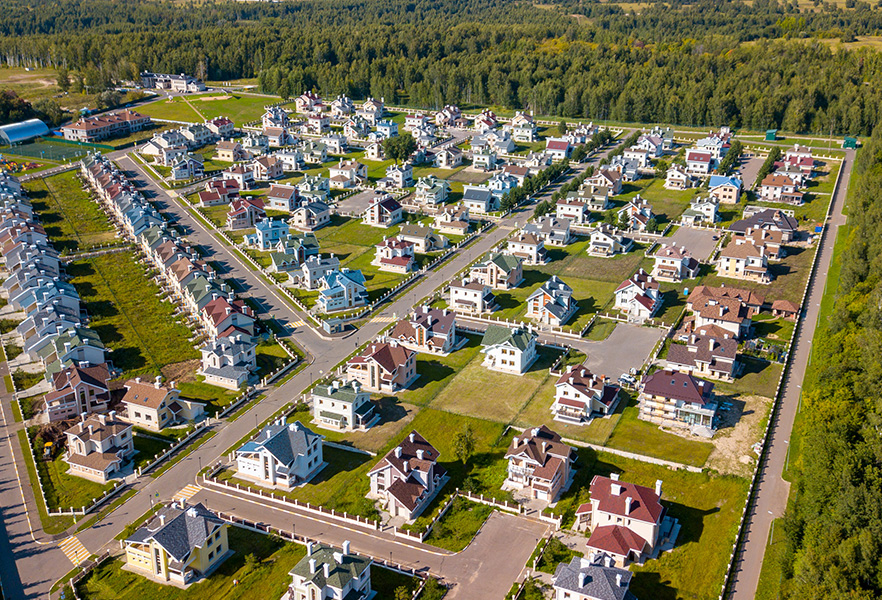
(179, 545)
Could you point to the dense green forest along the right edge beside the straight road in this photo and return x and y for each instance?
(834, 522)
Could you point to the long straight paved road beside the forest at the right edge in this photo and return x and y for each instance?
(773, 490)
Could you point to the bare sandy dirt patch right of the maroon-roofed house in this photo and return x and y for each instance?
(740, 428)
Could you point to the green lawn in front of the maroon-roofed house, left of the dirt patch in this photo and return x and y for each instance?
(641, 437)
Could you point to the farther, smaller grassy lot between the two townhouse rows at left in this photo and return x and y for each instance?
(71, 217)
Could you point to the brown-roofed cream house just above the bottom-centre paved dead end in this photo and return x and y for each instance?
(539, 462)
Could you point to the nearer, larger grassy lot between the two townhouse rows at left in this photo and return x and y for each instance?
(139, 327)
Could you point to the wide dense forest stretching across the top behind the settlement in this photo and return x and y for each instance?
(705, 63)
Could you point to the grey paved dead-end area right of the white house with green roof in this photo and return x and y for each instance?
(627, 347)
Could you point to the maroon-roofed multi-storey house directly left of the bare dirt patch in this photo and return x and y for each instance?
(675, 399)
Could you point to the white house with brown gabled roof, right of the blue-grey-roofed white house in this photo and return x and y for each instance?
(407, 478)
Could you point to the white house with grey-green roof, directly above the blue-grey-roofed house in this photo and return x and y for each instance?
(343, 406)
